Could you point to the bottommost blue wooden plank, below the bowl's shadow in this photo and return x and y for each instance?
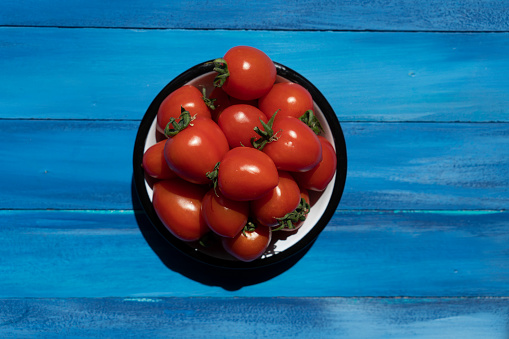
(256, 317)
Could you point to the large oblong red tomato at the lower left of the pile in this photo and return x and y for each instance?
(178, 205)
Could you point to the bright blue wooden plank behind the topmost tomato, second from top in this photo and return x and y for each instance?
(115, 74)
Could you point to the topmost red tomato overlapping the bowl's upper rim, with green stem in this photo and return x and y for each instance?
(245, 73)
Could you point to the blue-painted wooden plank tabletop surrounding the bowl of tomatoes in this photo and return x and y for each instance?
(418, 247)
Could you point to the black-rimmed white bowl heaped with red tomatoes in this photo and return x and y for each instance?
(240, 161)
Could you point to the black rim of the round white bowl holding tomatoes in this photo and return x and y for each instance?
(303, 243)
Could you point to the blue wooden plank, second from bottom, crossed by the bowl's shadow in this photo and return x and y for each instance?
(69, 254)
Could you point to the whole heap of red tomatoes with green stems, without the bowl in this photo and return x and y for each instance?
(239, 163)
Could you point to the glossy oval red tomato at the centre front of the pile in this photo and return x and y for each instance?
(246, 173)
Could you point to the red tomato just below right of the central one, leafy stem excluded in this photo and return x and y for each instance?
(283, 199)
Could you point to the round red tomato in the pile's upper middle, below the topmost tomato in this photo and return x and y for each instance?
(238, 123)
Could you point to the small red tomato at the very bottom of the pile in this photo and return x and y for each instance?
(249, 244)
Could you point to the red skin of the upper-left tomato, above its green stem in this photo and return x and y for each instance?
(186, 96)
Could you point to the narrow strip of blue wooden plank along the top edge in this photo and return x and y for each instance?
(433, 15)
